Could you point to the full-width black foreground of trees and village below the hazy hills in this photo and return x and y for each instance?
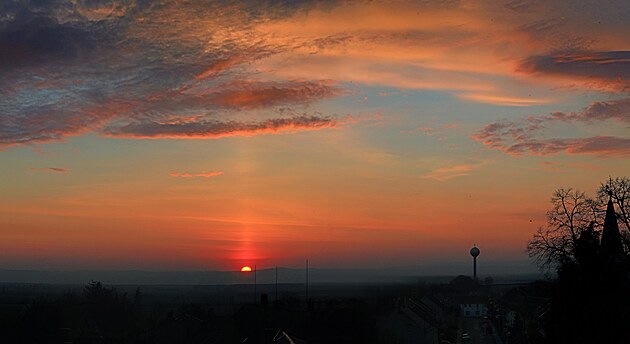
(588, 303)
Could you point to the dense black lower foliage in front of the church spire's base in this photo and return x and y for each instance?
(590, 302)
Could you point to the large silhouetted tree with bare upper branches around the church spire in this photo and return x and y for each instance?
(590, 303)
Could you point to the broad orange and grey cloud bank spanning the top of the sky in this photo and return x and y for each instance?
(128, 68)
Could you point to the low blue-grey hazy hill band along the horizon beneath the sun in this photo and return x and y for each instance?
(501, 273)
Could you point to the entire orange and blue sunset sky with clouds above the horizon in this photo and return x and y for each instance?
(215, 134)
